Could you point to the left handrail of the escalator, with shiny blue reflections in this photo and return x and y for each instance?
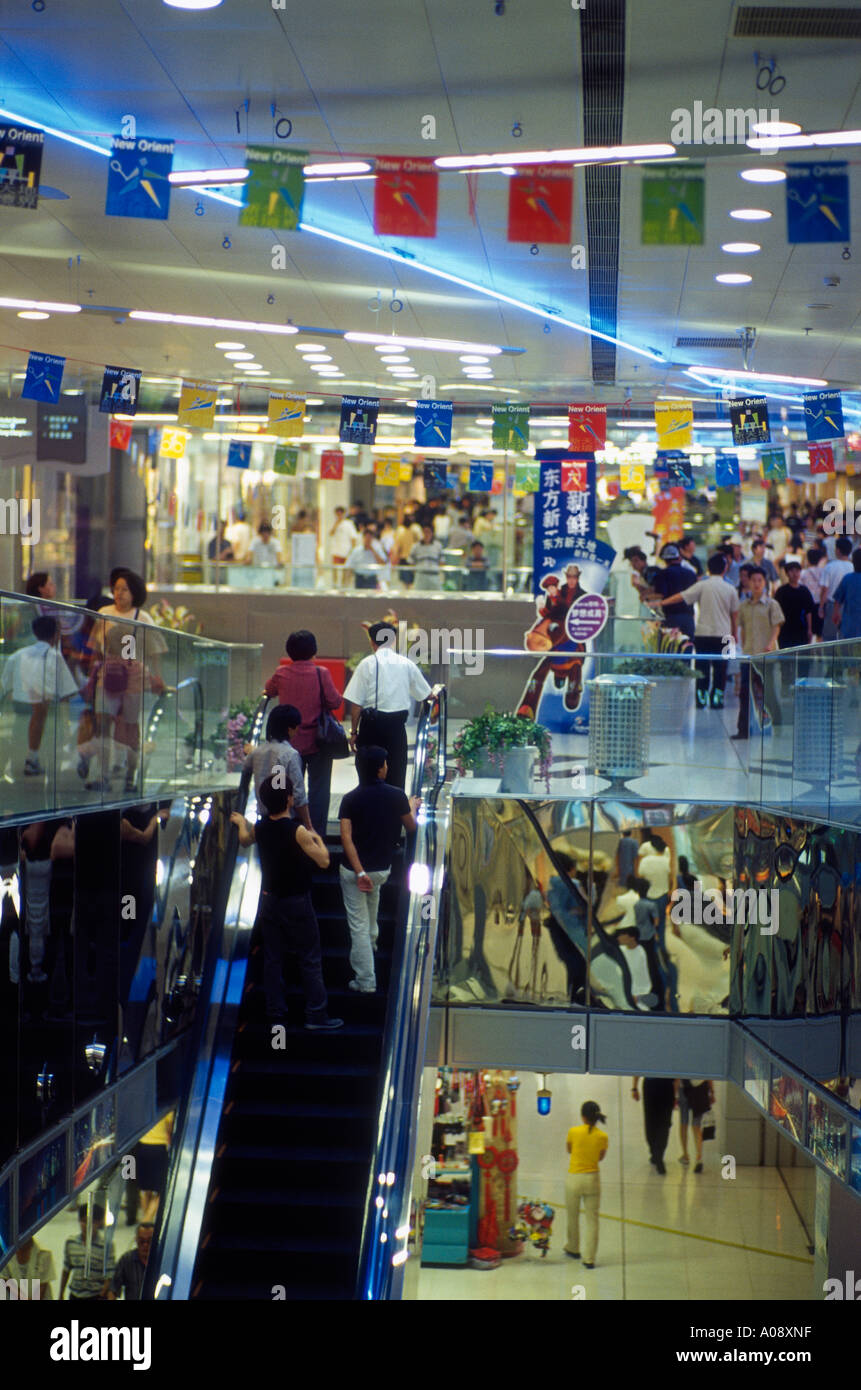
(204, 1092)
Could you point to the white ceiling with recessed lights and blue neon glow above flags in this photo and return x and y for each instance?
(360, 79)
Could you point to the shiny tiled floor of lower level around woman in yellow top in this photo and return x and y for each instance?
(686, 1236)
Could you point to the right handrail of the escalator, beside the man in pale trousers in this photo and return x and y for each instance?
(405, 1033)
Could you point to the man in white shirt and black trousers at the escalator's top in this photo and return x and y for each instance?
(382, 692)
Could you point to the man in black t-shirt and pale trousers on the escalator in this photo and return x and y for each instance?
(371, 828)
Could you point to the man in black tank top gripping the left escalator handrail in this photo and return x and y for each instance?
(286, 915)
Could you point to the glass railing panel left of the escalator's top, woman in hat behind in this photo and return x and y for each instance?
(102, 711)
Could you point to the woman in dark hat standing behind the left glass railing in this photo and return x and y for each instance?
(129, 664)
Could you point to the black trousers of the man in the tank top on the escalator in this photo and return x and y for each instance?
(290, 928)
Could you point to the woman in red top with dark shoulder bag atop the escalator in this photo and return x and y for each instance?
(312, 690)
